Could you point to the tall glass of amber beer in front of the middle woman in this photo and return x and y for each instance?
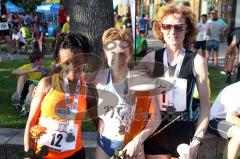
(142, 92)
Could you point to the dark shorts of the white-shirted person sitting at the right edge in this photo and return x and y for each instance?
(219, 127)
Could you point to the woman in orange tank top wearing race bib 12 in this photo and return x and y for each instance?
(59, 103)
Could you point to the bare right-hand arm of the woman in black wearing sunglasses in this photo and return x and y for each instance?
(201, 71)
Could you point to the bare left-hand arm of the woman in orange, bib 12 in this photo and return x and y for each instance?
(42, 89)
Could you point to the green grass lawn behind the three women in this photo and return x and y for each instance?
(9, 116)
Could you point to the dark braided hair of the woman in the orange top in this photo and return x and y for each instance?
(69, 41)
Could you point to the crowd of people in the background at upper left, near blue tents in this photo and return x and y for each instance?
(25, 26)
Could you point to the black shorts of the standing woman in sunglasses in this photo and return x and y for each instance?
(167, 141)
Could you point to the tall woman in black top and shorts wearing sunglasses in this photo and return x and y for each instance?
(175, 25)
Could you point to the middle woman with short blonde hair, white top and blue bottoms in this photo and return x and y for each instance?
(113, 88)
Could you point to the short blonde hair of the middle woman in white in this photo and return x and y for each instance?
(112, 34)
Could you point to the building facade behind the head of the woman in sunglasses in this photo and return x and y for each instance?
(227, 9)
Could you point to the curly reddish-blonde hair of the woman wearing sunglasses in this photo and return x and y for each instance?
(185, 12)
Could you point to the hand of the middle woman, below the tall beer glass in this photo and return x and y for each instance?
(132, 149)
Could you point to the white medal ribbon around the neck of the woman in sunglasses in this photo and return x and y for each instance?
(171, 93)
